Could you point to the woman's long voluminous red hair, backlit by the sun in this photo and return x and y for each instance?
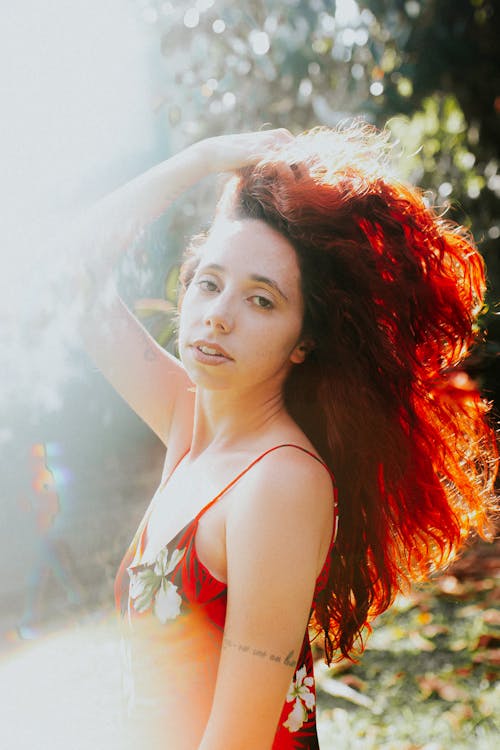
(391, 293)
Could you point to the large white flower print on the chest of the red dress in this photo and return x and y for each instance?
(150, 587)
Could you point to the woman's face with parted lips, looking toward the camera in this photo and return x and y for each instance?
(242, 313)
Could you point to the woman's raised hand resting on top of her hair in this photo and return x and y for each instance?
(226, 153)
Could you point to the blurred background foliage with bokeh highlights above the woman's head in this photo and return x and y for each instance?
(430, 68)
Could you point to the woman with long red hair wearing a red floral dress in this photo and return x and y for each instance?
(320, 318)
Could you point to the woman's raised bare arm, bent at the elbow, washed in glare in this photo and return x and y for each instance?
(150, 380)
